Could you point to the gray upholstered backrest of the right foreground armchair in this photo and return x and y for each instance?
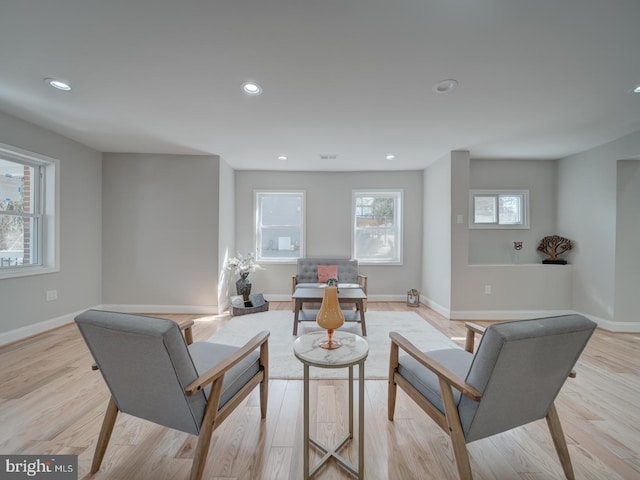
(520, 367)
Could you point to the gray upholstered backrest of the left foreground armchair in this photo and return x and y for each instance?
(146, 365)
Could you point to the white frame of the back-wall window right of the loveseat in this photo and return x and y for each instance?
(398, 195)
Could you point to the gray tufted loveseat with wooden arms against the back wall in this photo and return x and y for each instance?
(348, 275)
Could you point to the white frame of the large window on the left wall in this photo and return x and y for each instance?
(46, 212)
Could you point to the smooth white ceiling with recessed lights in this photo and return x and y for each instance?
(538, 79)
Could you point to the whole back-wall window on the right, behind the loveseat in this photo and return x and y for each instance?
(377, 226)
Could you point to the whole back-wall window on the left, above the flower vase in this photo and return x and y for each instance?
(279, 225)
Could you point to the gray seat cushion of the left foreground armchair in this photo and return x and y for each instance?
(206, 355)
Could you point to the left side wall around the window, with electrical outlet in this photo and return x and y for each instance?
(24, 310)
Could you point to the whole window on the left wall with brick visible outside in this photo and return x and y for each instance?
(28, 219)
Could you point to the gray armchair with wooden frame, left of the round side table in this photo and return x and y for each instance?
(153, 374)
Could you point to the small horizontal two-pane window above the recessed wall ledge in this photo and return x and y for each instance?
(499, 209)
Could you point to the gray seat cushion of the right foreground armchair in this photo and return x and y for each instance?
(455, 359)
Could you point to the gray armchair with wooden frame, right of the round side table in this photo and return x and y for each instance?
(513, 379)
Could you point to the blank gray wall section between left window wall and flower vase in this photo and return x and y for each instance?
(160, 224)
